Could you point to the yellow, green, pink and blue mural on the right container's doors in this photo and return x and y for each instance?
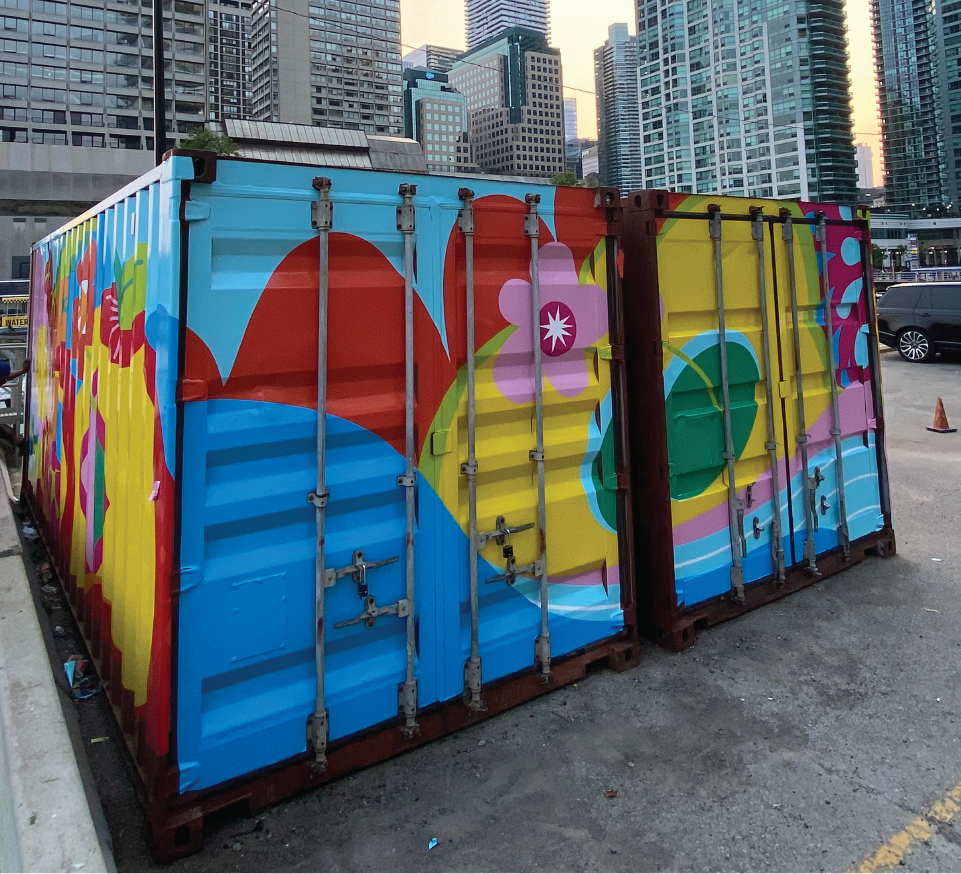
(692, 378)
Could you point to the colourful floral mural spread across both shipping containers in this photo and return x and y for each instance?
(235, 547)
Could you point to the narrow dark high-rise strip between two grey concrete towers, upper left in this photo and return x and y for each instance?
(229, 85)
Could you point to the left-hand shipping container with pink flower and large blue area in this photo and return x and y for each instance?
(469, 486)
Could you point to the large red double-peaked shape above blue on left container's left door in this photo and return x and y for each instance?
(277, 360)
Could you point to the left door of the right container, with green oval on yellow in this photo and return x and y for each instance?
(725, 431)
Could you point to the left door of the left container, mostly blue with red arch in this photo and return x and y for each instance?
(247, 638)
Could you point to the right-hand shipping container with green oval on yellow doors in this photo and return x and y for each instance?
(758, 431)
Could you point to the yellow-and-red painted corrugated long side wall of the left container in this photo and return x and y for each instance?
(102, 422)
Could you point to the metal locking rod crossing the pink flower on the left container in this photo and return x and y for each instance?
(542, 646)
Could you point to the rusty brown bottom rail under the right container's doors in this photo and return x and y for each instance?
(677, 631)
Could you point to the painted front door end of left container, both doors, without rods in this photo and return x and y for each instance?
(246, 659)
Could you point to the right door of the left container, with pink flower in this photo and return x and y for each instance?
(481, 465)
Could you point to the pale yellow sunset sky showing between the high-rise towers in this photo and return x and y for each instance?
(580, 26)
